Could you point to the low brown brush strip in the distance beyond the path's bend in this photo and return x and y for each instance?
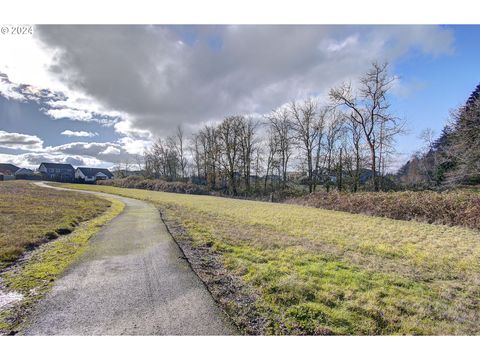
(138, 182)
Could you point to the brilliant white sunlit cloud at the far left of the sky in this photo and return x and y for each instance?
(28, 63)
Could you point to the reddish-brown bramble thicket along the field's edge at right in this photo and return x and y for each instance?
(447, 208)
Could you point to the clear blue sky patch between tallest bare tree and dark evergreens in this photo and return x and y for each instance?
(444, 82)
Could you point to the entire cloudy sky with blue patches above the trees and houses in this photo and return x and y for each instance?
(96, 95)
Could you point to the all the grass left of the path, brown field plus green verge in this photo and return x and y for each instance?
(26, 212)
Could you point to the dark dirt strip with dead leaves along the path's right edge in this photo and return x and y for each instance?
(236, 298)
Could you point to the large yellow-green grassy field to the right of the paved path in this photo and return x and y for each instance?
(318, 271)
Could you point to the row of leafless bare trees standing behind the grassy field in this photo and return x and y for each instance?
(345, 142)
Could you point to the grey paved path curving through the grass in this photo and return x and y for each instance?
(131, 281)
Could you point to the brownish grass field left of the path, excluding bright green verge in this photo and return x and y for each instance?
(30, 215)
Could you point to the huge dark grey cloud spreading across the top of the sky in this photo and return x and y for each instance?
(162, 76)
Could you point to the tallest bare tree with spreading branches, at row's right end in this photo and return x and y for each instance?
(369, 108)
